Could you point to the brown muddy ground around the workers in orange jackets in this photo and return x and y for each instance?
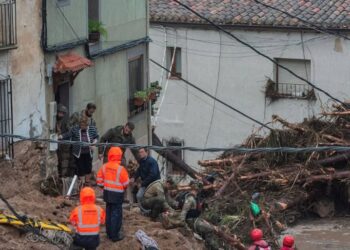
(20, 182)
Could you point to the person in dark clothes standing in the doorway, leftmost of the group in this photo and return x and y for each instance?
(63, 150)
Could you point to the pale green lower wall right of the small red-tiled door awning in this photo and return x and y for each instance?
(106, 84)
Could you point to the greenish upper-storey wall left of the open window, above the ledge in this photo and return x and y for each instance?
(59, 30)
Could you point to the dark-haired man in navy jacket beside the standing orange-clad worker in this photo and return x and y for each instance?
(148, 171)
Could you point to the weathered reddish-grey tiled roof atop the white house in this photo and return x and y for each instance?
(328, 13)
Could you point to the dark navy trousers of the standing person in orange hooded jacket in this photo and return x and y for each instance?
(114, 217)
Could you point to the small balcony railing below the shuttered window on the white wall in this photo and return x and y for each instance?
(291, 90)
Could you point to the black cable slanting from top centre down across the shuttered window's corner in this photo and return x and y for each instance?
(258, 52)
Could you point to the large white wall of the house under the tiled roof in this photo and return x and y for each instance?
(238, 76)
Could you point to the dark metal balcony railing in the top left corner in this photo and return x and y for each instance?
(8, 29)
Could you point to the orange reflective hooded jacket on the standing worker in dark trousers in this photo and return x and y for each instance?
(112, 176)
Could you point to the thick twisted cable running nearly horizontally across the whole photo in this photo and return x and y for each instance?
(235, 149)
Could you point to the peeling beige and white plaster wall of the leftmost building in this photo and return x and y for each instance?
(25, 65)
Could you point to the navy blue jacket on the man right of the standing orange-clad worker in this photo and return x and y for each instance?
(148, 171)
